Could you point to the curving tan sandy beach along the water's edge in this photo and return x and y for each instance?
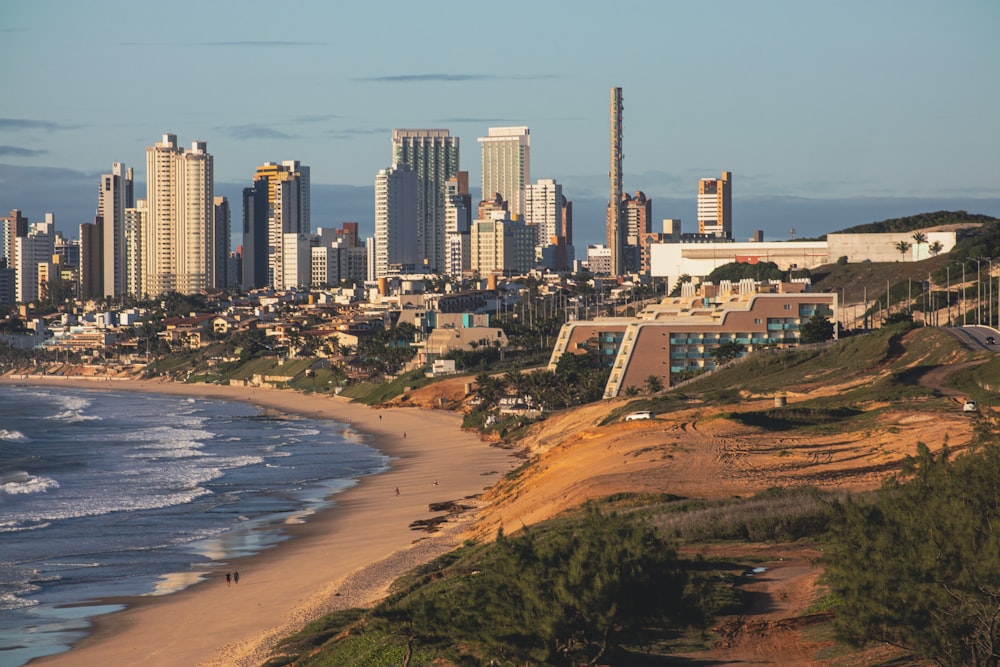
(343, 557)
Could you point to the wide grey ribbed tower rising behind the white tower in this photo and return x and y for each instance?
(433, 155)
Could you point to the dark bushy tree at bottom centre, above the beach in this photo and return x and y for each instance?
(565, 595)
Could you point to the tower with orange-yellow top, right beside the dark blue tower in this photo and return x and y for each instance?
(288, 212)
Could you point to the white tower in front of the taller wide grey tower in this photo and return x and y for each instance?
(397, 248)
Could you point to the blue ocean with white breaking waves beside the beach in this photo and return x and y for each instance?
(112, 493)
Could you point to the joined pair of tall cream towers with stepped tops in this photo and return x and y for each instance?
(178, 240)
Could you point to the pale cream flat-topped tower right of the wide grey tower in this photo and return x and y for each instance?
(507, 165)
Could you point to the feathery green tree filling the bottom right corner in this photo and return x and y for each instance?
(918, 565)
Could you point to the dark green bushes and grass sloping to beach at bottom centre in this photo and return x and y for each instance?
(580, 590)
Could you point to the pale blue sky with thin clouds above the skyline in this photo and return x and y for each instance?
(828, 114)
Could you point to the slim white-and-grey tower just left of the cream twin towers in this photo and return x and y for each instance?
(115, 194)
